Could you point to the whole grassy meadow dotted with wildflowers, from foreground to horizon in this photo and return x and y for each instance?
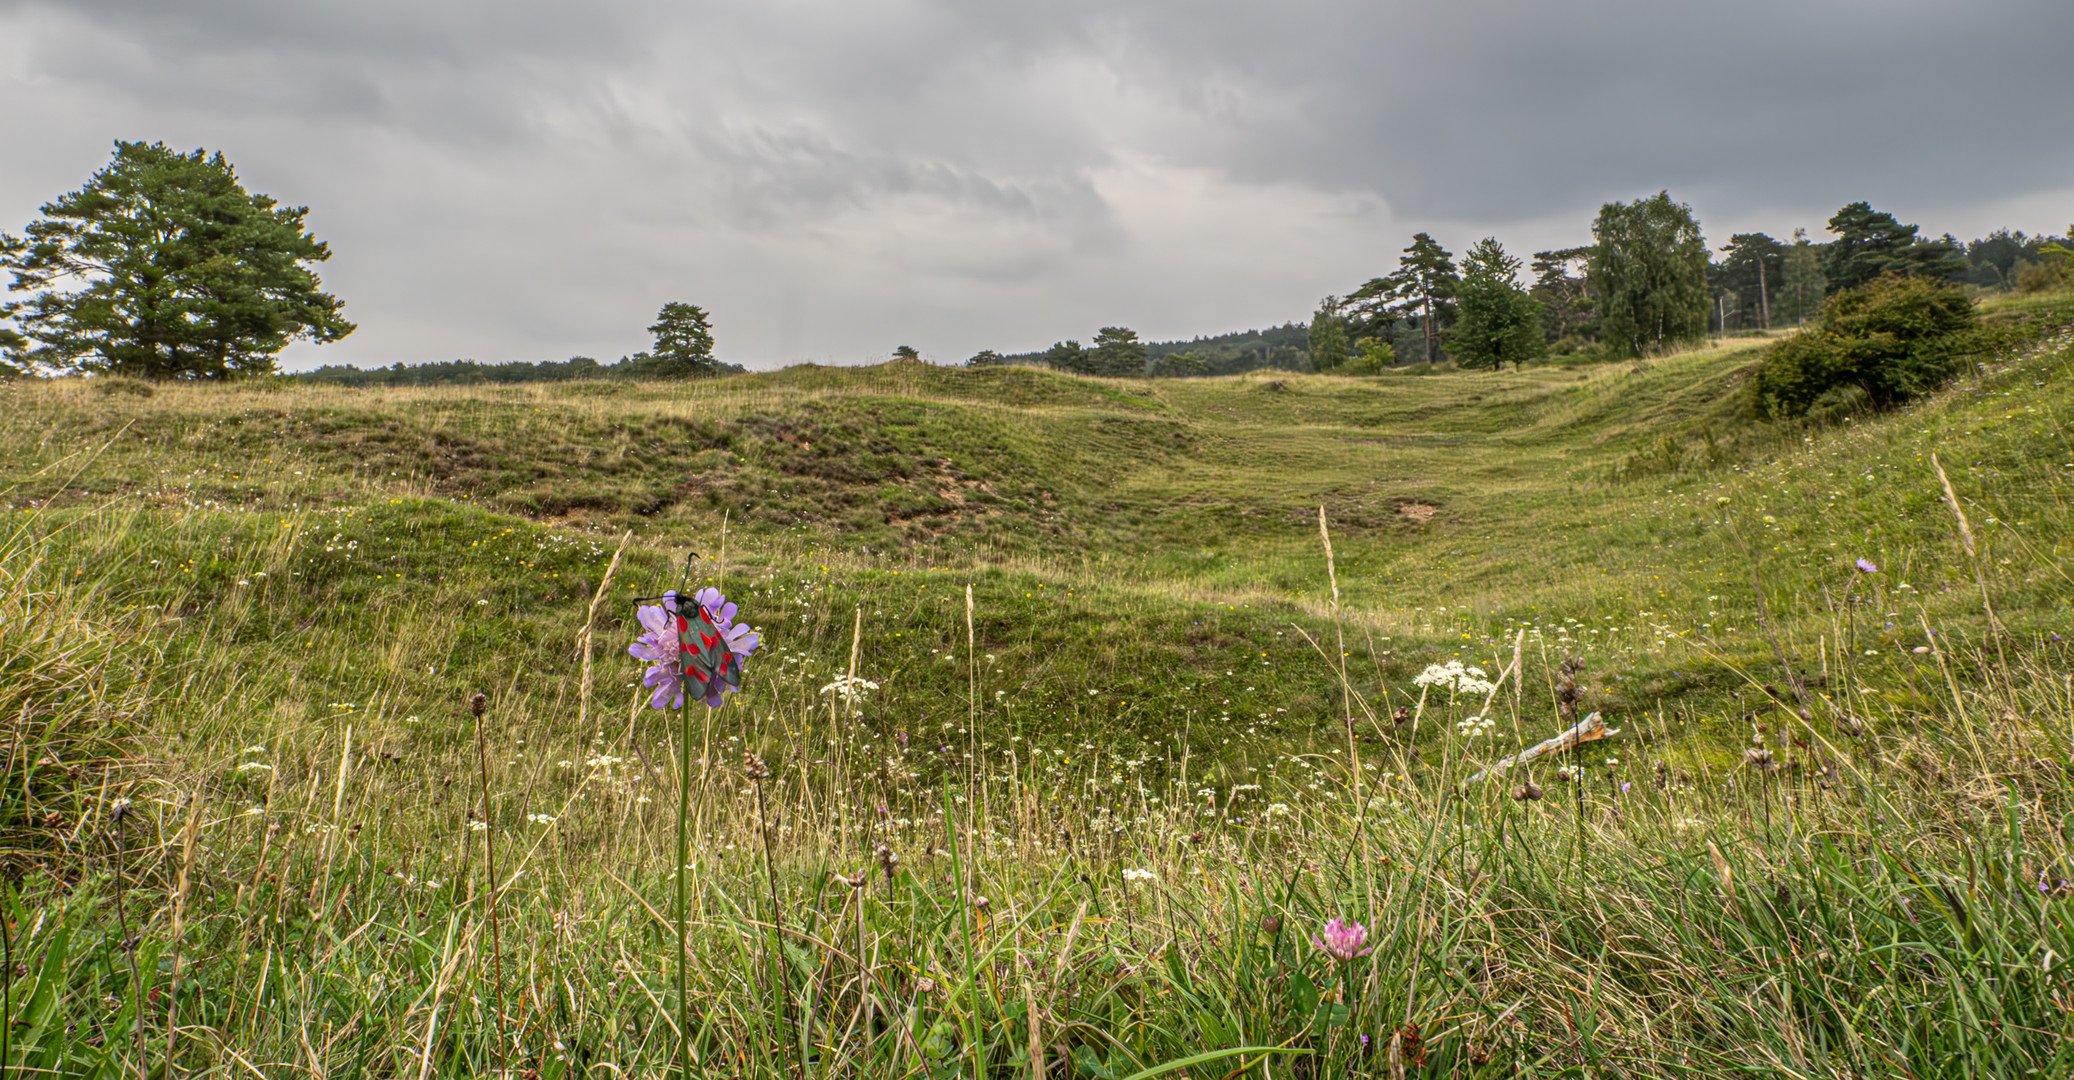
(1067, 737)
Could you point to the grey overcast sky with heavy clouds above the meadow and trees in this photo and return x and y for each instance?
(524, 181)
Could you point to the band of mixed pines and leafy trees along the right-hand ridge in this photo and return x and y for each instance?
(1650, 283)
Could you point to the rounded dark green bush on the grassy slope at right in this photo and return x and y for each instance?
(1882, 345)
